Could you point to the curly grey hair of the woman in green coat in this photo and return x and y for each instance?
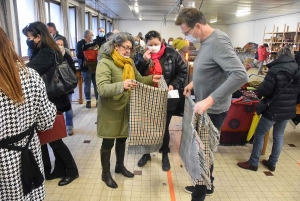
(118, 39)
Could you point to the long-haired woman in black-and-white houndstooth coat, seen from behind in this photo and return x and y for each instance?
(24, 107)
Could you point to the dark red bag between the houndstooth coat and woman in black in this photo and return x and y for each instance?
(57, 132)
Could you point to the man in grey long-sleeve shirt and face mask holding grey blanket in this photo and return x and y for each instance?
(218, 73)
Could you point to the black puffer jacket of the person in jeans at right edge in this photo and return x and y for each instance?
(281, 71)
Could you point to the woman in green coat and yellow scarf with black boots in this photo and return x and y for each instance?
(114, 76)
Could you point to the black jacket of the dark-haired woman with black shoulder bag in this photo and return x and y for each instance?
(42, 61)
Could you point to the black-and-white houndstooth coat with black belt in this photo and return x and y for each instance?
(16, 119)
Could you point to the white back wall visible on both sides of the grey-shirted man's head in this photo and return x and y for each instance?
(170, 30)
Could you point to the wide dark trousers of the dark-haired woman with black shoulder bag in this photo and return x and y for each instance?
(64, 161)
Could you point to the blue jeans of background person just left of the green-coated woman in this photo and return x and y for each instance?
(89, 77)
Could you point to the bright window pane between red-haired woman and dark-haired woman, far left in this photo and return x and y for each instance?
(25, 18)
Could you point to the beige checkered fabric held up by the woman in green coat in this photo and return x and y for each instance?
(147, 121)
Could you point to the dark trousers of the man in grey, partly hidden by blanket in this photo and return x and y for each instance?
(199, 192)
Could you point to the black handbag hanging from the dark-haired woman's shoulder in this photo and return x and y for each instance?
(59, 79)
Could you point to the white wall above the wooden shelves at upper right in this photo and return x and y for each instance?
(253, 31)
